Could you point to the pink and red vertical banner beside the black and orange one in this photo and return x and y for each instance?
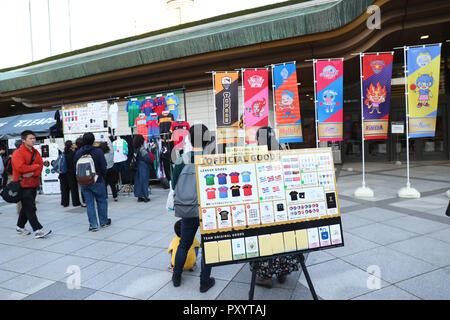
(256, 102)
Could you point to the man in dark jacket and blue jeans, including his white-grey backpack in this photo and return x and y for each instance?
(90, 169)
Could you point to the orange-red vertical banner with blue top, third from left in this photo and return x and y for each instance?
(287, 113)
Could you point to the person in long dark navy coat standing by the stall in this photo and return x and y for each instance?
(142, 176)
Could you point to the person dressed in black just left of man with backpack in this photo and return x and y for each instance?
(68, 181)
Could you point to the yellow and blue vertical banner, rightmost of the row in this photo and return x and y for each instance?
(423, 65)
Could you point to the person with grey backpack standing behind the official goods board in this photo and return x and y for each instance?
(184, 184)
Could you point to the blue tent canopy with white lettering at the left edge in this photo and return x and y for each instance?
(40, 123)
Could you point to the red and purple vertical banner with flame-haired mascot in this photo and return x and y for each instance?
(377, 76)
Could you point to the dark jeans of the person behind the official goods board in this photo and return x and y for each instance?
(189, 227)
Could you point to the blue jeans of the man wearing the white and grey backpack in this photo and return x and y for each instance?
(92, 194)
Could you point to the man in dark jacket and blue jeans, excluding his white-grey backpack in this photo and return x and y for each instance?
(95, 193)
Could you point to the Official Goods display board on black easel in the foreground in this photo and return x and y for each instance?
(264, 205)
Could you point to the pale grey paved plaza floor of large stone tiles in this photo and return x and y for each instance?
(403, 243)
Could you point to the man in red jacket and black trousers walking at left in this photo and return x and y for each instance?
(30, 174)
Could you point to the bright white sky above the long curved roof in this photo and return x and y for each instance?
(91, 22)
